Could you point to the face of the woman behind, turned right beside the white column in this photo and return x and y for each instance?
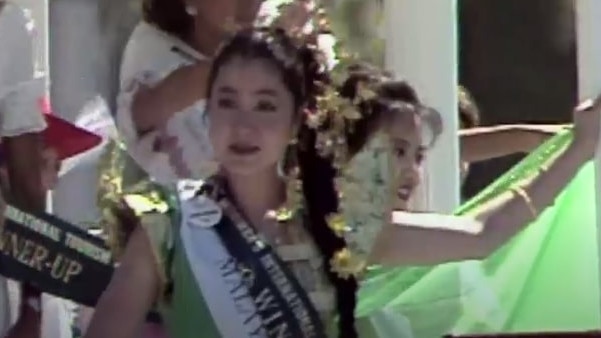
(408, 152)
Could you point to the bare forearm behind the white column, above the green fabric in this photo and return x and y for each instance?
(484, 143)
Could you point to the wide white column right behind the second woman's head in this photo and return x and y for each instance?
(421, 47)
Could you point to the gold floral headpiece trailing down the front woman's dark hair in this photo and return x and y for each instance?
(333, 116)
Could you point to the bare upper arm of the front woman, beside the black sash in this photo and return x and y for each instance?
(134, 287)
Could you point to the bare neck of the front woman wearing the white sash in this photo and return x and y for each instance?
(256, 195)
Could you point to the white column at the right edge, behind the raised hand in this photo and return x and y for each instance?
(588, 27)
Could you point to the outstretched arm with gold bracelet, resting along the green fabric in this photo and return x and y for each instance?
(503, 217)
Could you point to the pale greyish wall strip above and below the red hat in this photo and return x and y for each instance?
(73, 56)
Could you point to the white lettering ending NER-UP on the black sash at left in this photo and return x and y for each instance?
(41, 257)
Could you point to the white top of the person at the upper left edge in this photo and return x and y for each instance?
(20, 88)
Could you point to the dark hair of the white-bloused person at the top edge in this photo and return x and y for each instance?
(169, 15)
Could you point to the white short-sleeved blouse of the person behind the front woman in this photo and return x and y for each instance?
(150, 56)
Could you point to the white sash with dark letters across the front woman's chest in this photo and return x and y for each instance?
(233, 311)
